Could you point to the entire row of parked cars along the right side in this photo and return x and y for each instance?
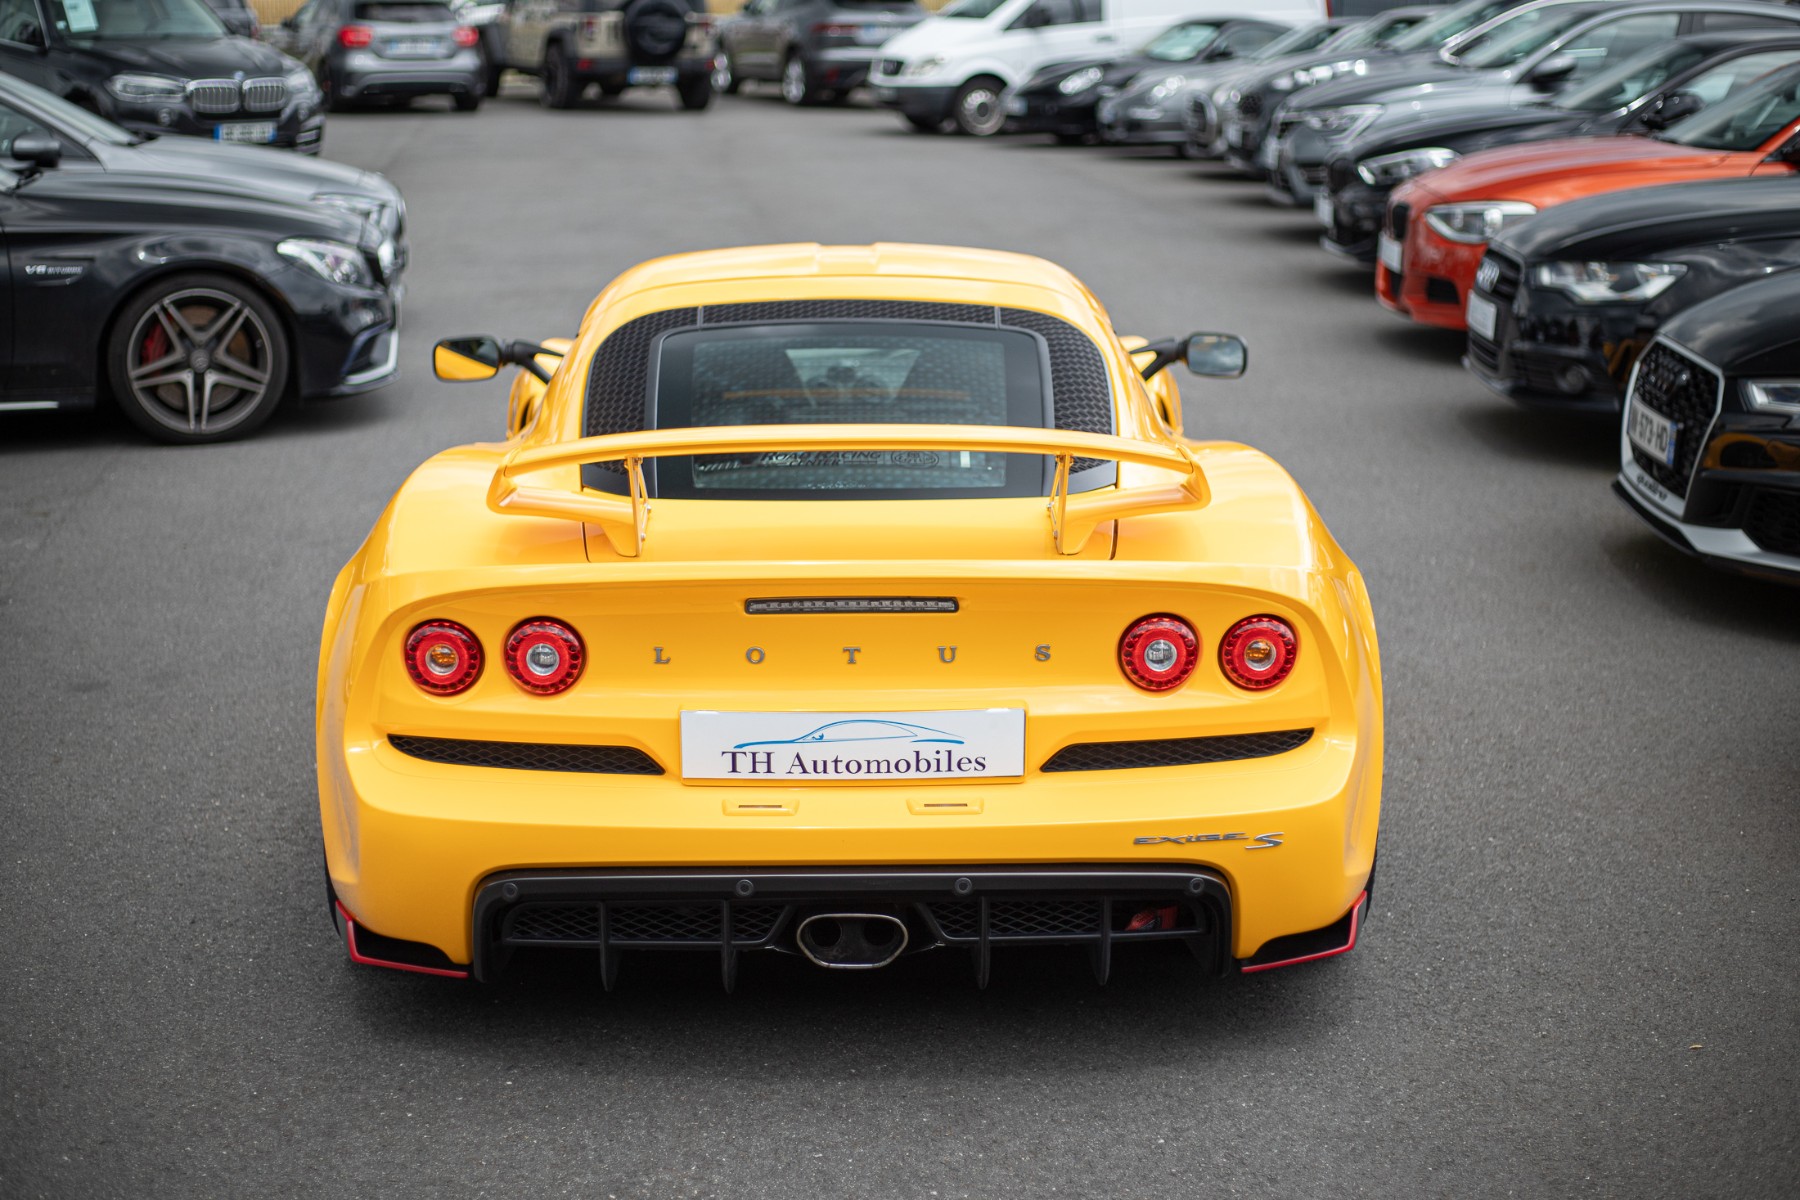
(1601, 193)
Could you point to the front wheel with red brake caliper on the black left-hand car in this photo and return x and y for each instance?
(188, 343)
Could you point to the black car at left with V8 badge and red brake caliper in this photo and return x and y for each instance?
(197, 307)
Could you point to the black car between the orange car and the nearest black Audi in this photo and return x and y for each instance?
(1581, 289)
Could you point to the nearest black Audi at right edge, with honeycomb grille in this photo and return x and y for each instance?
(1711, 440)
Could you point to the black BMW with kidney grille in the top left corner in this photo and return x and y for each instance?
(163, 67)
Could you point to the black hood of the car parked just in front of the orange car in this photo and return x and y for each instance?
(1646, 222)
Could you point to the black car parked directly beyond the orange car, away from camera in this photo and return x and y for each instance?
(1646, 93)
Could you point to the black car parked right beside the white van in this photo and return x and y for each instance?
(1065, 98)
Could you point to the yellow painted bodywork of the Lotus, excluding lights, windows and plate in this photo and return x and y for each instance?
(409, 841)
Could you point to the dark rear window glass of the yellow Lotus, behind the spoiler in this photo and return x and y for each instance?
(852, 373)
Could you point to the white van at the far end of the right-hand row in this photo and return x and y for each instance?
(957, 64)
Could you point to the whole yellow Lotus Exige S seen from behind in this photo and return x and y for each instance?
(847, 602)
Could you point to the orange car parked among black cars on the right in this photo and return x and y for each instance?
(1439, 226)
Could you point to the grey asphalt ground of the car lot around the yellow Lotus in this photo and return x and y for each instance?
(1579, 972)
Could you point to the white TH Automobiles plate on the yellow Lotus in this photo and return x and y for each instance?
(800, 748)
